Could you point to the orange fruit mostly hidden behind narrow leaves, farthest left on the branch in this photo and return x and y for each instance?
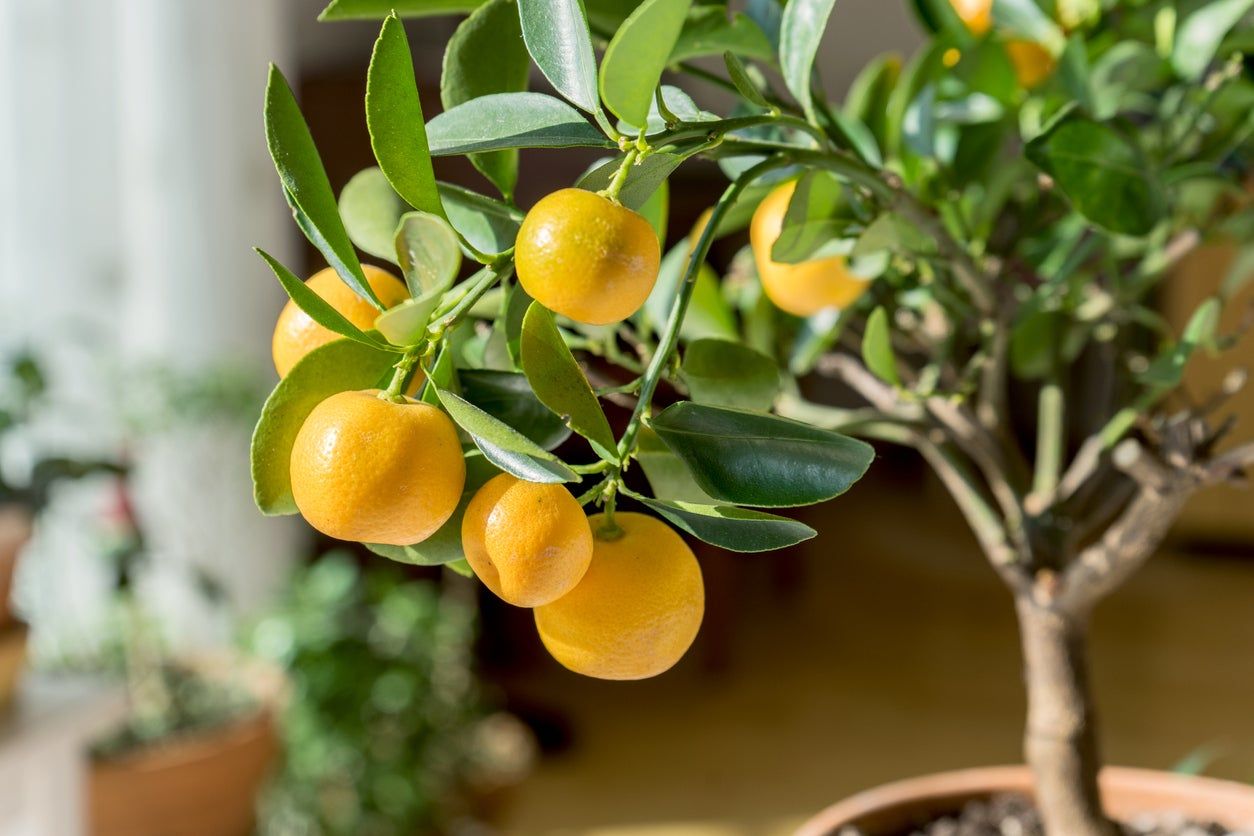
(297, 334)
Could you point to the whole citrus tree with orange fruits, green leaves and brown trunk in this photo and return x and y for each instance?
(970, 241)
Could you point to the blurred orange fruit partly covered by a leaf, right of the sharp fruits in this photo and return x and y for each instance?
(807, 288)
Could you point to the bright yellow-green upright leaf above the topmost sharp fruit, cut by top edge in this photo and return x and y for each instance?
(636, 57)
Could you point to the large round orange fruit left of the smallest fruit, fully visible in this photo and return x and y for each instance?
(371, 471)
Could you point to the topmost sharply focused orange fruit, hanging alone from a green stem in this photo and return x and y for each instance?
(586, 258)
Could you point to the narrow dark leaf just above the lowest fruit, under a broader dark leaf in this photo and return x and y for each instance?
(737, 530)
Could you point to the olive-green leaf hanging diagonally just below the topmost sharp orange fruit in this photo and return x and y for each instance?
(559, 382)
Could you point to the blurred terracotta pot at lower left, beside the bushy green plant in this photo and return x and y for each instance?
(204, 785)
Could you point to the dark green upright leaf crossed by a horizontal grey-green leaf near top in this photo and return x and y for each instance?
(487, 56)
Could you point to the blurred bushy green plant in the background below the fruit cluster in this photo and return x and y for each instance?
(386, 731)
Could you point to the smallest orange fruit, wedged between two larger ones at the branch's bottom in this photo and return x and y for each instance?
(529, 543)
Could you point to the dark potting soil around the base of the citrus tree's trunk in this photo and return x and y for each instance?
(1015, 817)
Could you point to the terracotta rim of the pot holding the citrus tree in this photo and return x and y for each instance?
(896, 808)
